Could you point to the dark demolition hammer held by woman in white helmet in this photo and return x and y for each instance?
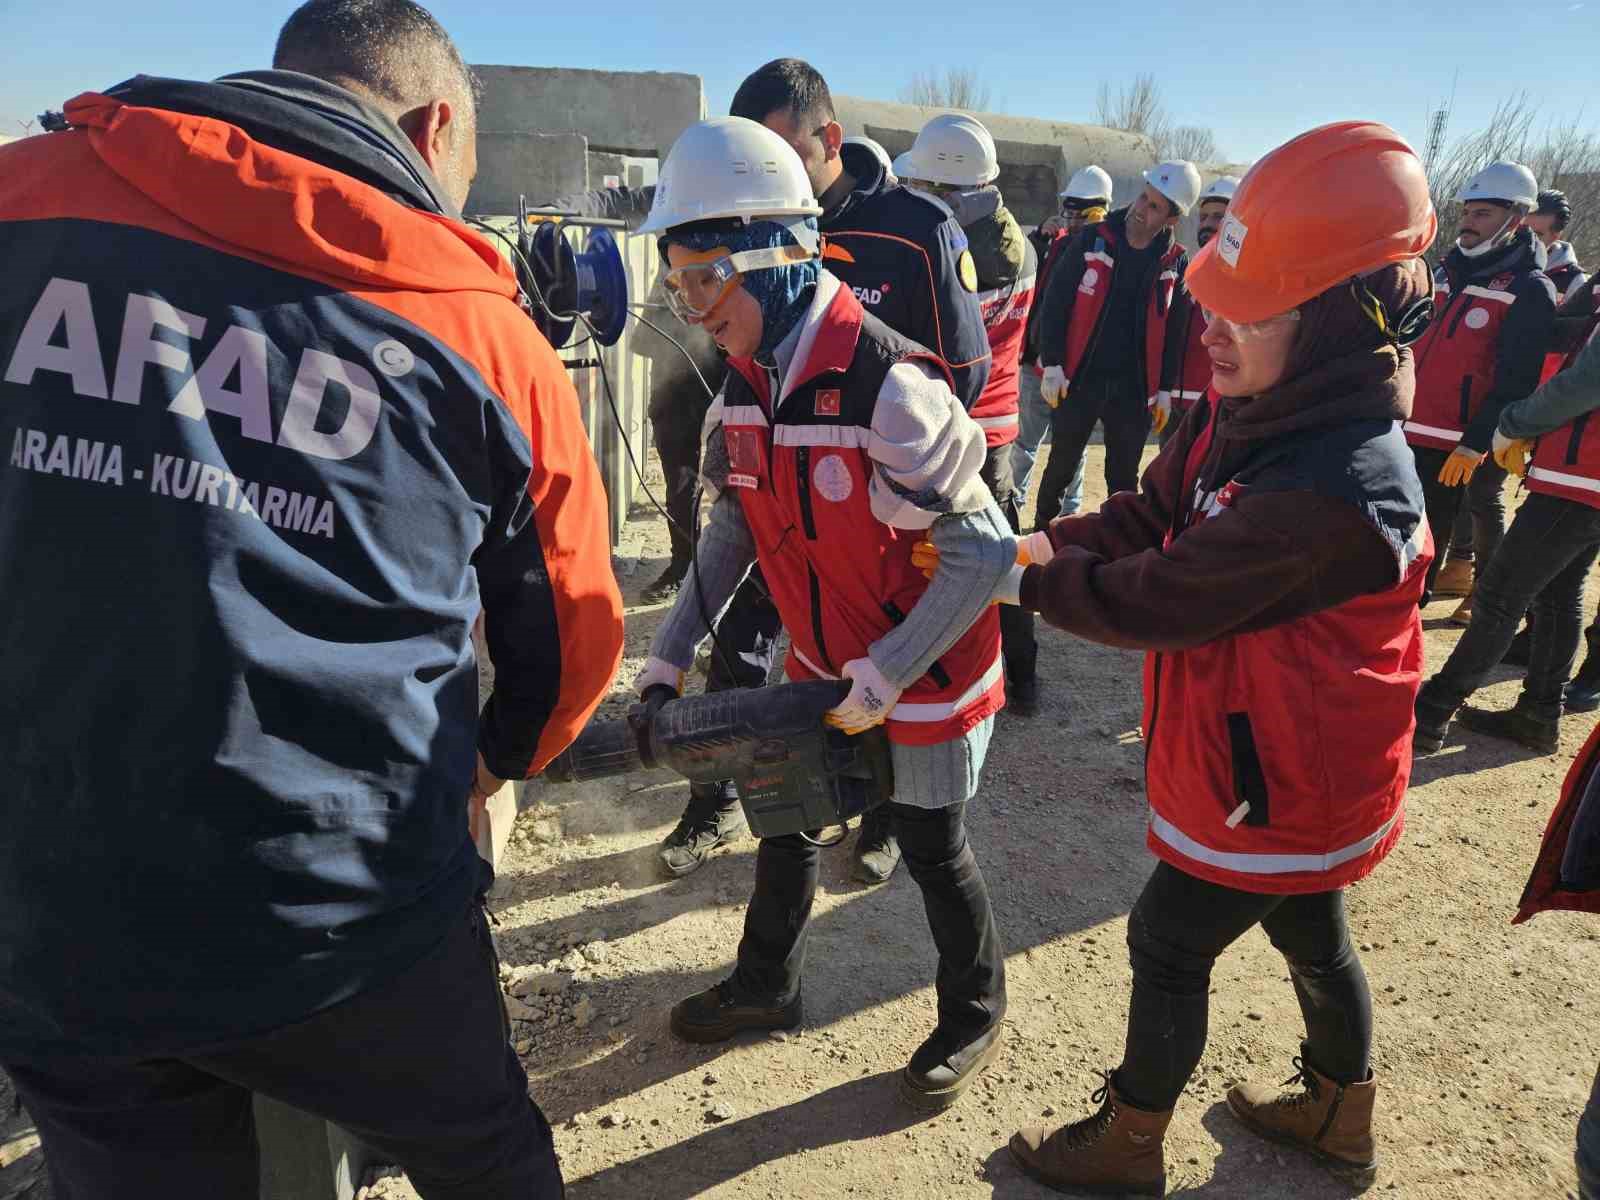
(794, 774)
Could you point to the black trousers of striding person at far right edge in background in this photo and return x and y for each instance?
(1542, 564)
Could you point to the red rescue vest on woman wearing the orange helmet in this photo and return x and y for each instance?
(1257, 775)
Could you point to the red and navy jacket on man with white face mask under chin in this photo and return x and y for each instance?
(1494, 321)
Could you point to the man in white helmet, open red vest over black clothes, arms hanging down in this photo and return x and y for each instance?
(1105, 332)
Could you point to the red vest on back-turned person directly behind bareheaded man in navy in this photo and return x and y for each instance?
(1007, 273)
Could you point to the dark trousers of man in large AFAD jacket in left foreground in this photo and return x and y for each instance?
(420, 1068)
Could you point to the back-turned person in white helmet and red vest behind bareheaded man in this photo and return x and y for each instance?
(954, 161)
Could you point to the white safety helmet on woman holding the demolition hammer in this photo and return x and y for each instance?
(732, 169)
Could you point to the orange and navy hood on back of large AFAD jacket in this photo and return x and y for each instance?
(290, 170)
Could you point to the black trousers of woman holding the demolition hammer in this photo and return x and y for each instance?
(972, 964)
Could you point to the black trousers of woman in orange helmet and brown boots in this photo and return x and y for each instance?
(1175, 935)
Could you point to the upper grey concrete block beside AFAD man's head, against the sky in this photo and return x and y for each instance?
(639, 113)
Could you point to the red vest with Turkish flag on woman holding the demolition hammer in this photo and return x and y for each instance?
(839, 577)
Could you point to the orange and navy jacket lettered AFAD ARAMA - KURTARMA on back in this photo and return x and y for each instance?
(276, 433)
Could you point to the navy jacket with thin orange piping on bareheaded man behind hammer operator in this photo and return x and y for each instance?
(908, 262)
